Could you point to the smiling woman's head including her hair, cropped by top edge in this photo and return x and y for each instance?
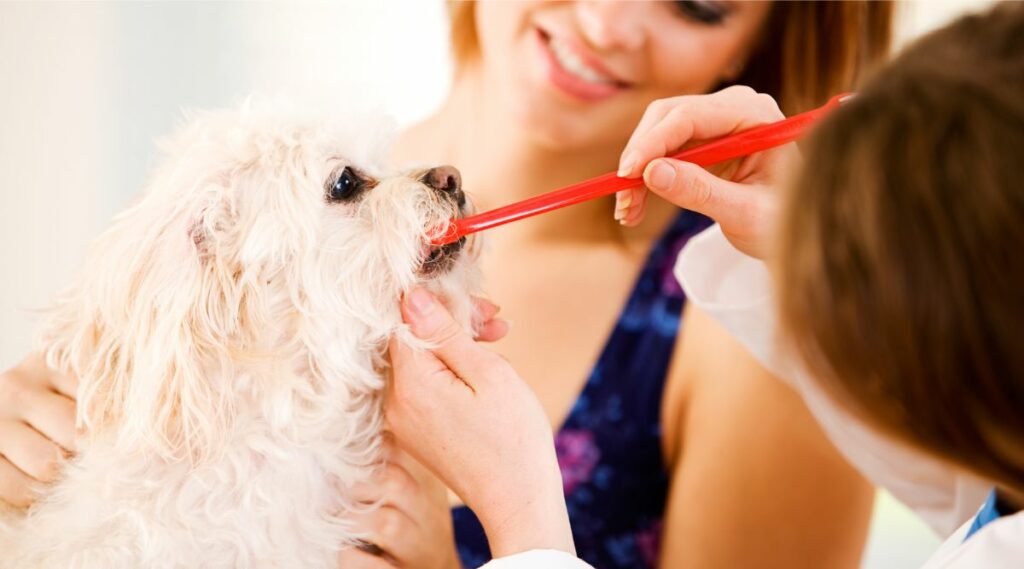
(578, 75)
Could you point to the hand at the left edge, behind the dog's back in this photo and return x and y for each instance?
(37, 428)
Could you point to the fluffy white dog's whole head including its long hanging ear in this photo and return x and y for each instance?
(265, 246)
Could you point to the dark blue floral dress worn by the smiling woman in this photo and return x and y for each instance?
(610, 449)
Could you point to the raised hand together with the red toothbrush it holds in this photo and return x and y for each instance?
(736, 123)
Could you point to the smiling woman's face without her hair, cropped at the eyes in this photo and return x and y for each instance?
(578, 75)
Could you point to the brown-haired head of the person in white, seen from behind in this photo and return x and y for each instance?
(901, 256)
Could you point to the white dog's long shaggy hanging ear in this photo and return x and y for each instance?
(153, 327)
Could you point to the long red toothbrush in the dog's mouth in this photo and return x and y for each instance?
(729, 148)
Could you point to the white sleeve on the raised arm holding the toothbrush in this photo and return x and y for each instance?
(736, 290)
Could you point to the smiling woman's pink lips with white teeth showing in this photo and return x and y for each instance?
(574, 73)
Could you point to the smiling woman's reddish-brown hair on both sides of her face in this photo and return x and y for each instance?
(808, 51)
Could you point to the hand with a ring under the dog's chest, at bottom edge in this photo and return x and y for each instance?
(412, 528)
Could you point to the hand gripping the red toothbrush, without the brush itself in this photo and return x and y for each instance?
(741, 196)
